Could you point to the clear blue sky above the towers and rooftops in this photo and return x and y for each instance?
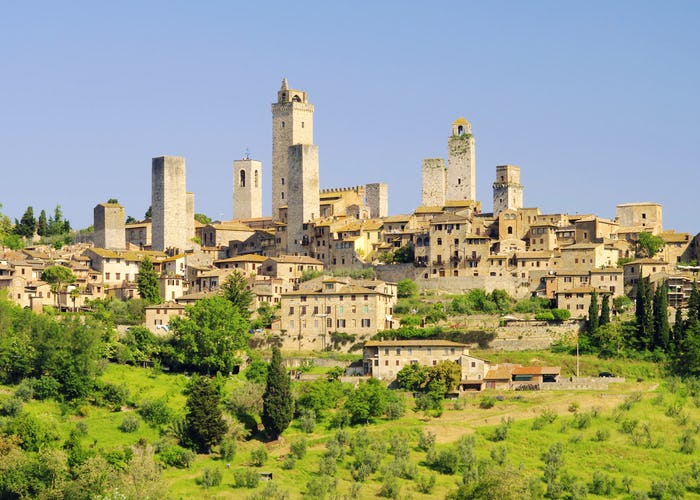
(596, 101)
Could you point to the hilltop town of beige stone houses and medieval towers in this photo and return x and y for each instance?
(448, 244)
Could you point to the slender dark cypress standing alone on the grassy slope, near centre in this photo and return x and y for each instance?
(278, 403)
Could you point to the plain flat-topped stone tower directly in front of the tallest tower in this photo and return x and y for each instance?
(303, 204)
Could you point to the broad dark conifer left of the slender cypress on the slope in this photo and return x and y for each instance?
(204, 422)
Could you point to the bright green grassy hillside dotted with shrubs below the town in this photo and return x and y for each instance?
(630, 435)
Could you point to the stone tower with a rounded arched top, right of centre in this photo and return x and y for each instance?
(461, 162)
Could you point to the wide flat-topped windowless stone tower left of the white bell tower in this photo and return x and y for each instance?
(169, 204)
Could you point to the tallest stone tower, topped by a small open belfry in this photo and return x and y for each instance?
(292, 123)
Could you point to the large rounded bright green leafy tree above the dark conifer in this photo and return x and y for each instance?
(210, 337)
